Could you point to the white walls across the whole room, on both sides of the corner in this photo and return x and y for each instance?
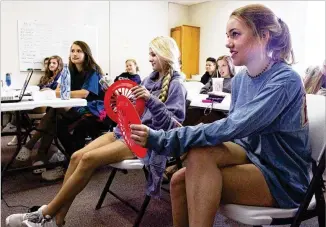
(125, 28)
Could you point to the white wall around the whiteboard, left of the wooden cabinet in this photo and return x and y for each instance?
(124, 30)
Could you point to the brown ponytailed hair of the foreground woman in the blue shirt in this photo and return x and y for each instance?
(259, 18)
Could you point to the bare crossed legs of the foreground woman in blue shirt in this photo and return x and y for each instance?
(215, 175)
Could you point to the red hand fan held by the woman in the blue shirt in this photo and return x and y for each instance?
(127, 115)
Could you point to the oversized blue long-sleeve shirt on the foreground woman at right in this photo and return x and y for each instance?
(268, 118)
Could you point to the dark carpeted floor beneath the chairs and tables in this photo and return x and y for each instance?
(27, 189)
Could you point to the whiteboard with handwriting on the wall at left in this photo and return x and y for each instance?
(38, 39)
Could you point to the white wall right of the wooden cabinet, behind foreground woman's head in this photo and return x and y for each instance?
(306, 21)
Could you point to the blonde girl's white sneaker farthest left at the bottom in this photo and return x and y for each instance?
(15, 220)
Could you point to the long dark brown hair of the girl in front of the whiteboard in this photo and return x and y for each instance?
(89, 62)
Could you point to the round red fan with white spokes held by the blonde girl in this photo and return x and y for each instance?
(121, 87)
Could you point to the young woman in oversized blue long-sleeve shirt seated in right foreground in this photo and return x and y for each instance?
(259, 155)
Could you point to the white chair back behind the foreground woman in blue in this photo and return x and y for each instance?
(316, 109)
